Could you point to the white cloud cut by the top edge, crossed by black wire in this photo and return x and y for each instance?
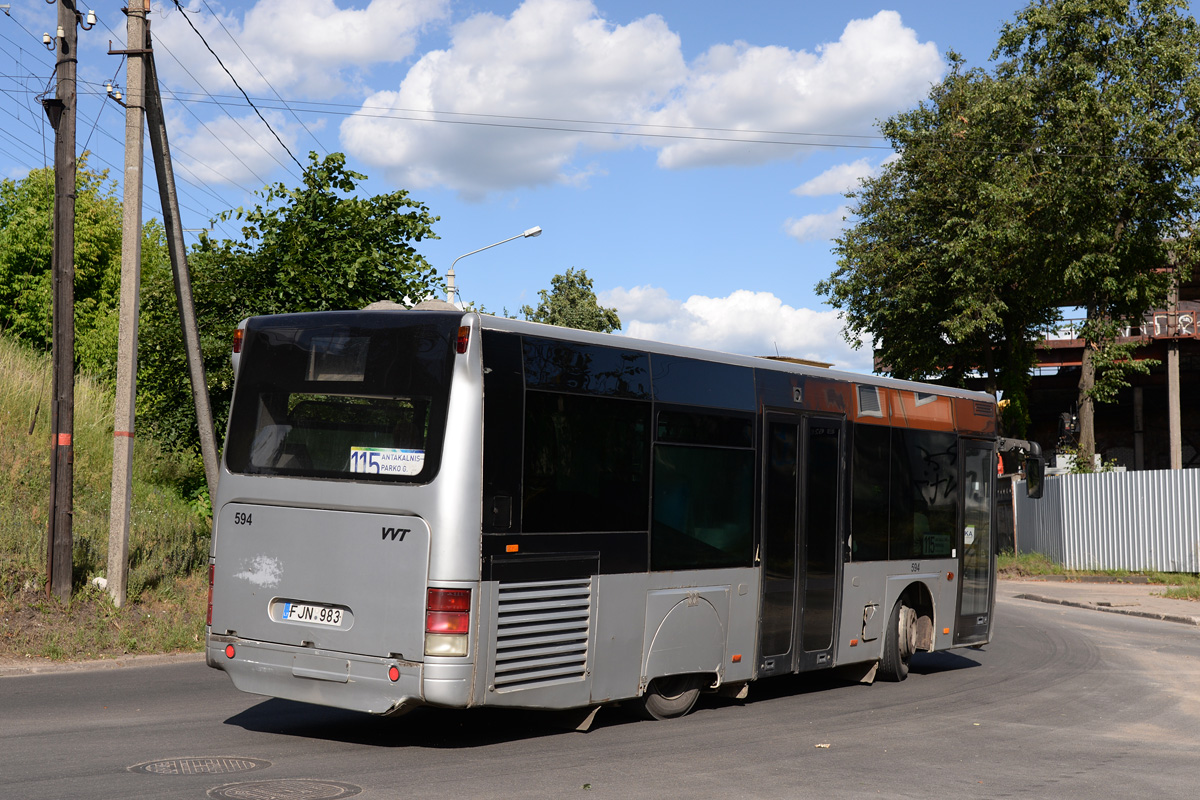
(309, 49)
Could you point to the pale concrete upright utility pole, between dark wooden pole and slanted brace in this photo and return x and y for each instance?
(128, 326)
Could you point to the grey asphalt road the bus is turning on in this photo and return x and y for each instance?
(1066, 703)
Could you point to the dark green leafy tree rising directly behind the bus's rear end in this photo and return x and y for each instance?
(316, 248)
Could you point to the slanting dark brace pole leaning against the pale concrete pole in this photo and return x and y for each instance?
(179, 268)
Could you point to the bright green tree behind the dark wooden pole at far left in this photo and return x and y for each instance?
(27, 214)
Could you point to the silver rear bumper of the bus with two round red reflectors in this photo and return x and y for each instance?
(322, 677)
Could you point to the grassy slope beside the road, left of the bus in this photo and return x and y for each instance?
(169, 537)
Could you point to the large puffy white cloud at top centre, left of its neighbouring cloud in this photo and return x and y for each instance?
(550, 59)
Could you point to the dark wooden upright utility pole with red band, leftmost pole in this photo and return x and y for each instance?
(62, 113)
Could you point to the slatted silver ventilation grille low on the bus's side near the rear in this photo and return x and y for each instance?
(542, 633)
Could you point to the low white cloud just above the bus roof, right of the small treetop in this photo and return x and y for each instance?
(748, 323)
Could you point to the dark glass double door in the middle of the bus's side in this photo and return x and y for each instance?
(802, 491)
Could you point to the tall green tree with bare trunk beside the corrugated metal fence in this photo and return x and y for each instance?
(1113, 89)
